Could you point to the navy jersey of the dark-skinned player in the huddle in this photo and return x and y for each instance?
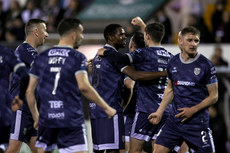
(108, 80)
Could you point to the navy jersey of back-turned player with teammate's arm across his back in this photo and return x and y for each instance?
(150, 93)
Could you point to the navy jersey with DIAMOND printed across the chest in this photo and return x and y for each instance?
(190, 81)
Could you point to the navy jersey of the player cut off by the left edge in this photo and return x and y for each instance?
(8, 64)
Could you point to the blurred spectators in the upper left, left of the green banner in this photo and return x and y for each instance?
(14, 16)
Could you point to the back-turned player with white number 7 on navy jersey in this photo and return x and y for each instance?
(60, 73)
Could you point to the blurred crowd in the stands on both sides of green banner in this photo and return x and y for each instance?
(211, 17)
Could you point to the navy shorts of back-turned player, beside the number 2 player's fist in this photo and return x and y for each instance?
(142, 129)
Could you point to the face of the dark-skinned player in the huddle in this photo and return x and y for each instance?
(120, 38)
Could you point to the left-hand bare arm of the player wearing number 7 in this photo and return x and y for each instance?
(30, 96)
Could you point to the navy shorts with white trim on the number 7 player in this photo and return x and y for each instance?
(65, 139)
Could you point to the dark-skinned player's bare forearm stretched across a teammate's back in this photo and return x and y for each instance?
(142, 75)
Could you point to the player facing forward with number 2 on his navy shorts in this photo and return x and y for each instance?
(192, 88)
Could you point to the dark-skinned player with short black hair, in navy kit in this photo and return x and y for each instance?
(107, 79)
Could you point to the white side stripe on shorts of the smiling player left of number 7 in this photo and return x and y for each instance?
(15, 135)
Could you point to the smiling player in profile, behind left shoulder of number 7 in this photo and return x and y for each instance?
(22, 129)
